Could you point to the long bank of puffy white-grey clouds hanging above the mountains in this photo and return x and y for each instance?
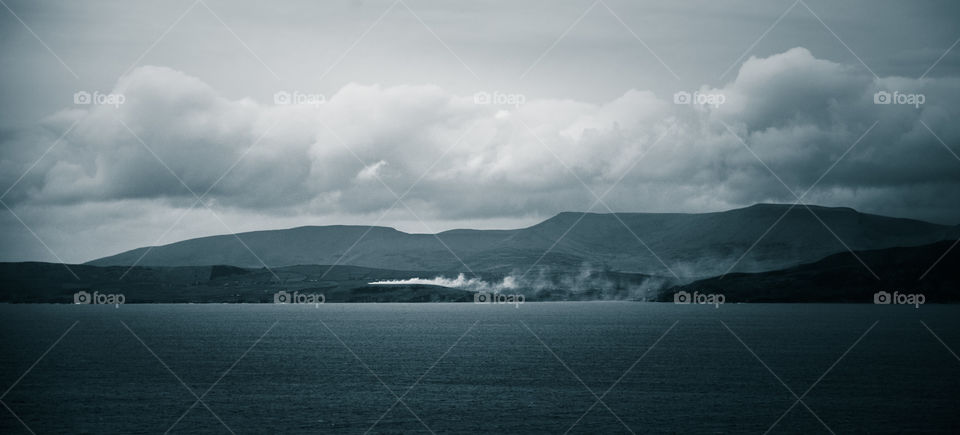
(454, 159)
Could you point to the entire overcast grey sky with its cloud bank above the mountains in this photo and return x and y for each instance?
(128, 124)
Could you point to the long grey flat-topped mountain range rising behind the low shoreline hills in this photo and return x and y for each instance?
(688, 245)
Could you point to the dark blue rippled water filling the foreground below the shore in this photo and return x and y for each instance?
(462, 368)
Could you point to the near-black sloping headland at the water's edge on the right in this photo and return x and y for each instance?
(843, 278)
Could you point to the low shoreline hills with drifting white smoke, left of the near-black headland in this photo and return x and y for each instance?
(34, 282)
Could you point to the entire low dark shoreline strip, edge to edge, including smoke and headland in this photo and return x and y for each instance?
(835, 278)
